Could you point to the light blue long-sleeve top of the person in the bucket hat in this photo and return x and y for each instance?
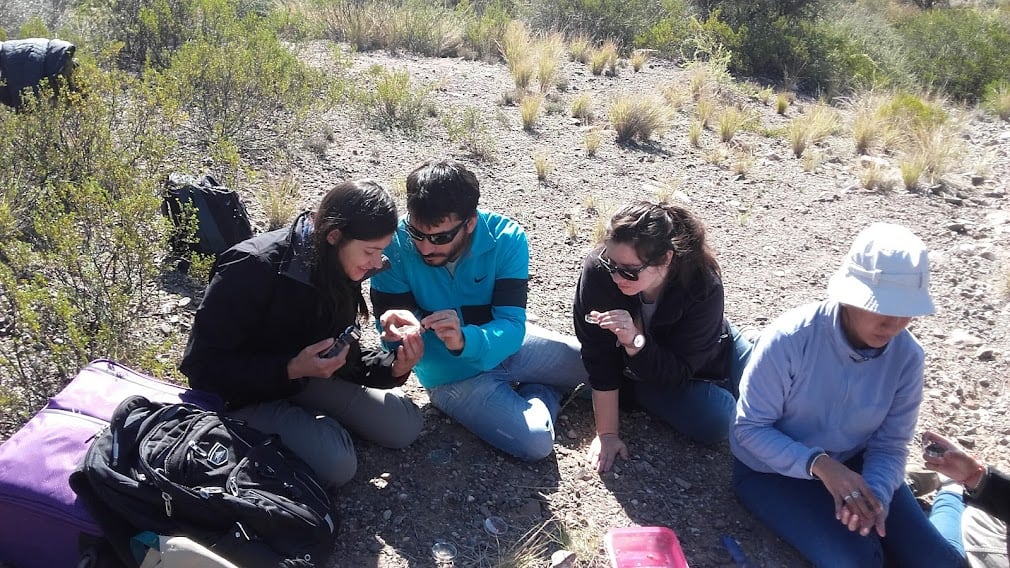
(807, 391)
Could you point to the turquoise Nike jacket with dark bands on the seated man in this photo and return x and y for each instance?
(488, 292)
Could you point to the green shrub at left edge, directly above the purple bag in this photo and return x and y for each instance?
(80, 288)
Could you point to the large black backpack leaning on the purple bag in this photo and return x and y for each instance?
(177, 469)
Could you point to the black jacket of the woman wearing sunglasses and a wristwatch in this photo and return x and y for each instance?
(688, 337)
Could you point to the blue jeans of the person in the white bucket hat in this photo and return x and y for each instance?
(801, 512)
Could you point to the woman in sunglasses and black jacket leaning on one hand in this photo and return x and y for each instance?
(649, 312)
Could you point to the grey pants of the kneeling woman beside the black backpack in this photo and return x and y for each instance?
(313, 424)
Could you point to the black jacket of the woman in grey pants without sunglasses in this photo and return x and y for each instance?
(259, 312)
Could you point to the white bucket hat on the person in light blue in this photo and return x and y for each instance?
(886, 271)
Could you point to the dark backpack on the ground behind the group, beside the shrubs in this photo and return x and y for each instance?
(221, 216)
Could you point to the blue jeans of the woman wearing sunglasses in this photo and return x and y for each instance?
(702, 411)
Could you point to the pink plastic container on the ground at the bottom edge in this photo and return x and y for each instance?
(645, 547)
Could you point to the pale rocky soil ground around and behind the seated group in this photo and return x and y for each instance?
(779, 231)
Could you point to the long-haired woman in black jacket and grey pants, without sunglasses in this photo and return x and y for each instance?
(266, 337)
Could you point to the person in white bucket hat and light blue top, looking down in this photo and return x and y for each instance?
(829, 405)
